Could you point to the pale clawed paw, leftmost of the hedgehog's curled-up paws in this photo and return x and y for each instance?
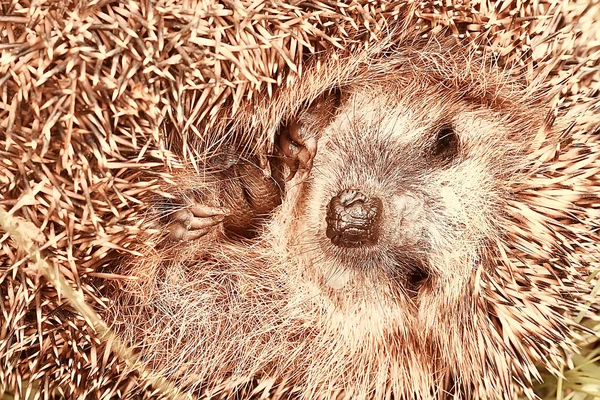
(196, 221)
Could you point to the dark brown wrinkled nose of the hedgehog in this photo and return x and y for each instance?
(353, 219)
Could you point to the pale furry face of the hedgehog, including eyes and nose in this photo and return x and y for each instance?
(398, 204)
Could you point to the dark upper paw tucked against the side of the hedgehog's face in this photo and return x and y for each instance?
(298, 139)
